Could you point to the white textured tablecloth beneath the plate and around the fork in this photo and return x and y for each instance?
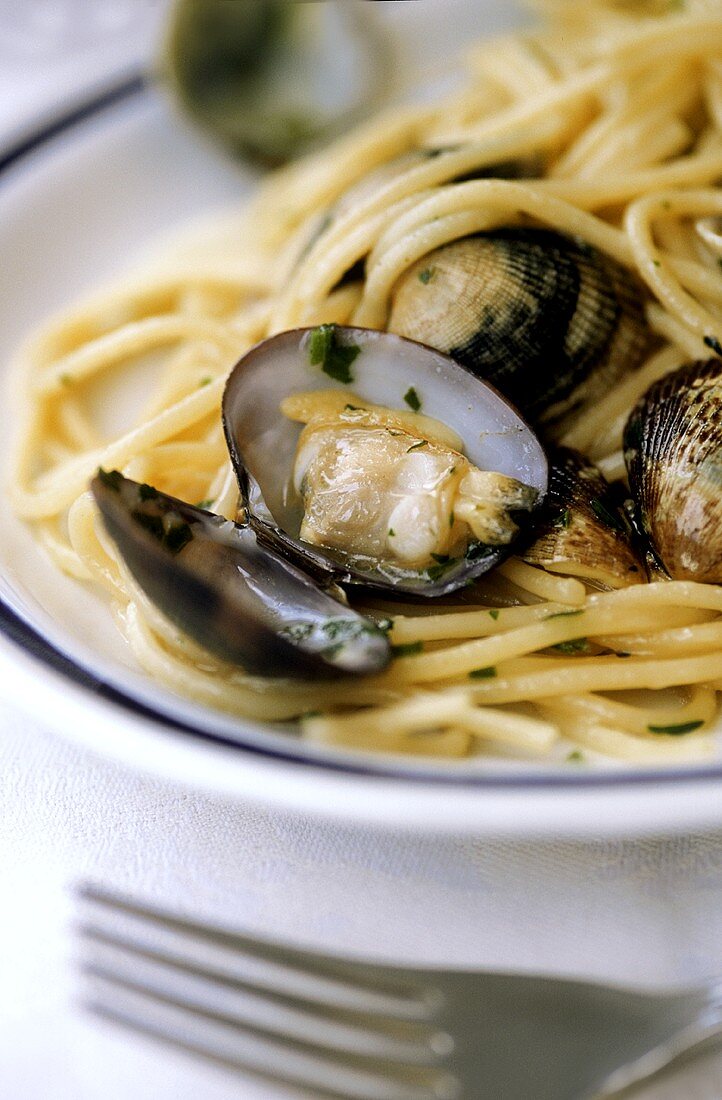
(644, 911)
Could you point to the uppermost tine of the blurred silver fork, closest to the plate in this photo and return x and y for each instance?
(294, 974)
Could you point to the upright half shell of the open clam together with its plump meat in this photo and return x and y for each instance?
(345, 469)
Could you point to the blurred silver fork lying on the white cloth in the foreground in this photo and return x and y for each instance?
(358, 1031)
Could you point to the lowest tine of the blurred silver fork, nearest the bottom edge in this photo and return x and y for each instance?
(240, 1048)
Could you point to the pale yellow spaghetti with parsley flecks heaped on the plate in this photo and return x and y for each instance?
(621, 106)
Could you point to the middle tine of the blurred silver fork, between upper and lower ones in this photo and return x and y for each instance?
(172, 978)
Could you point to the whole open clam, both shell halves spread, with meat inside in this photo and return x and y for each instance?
(346, 480)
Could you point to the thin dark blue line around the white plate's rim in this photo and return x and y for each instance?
(23, 635)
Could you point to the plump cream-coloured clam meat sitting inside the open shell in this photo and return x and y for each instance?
(392, 486)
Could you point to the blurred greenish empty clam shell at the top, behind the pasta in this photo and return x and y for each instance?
(274, 79)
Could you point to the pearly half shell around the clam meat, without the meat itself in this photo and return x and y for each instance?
(390, 372)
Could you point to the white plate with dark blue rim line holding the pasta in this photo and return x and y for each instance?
(74, 212)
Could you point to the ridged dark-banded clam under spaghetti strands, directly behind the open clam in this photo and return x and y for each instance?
(548, 320)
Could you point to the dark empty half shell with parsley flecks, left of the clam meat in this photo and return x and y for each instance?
(238, 600)
